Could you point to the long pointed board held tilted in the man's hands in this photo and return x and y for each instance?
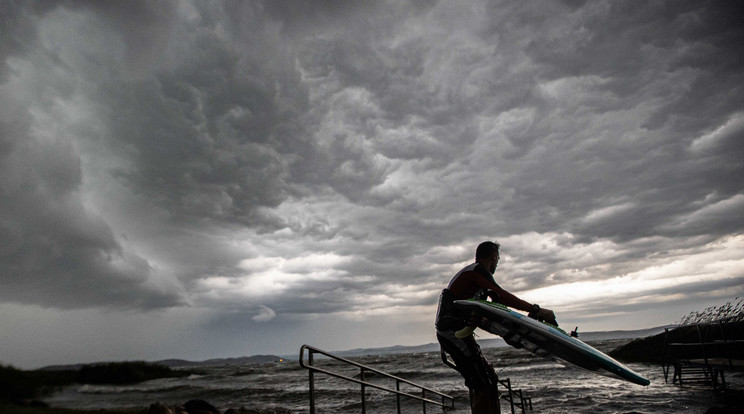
(547, 341)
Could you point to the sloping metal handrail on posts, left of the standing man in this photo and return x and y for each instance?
(364, 384)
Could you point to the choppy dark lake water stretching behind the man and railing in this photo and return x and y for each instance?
(553, 388)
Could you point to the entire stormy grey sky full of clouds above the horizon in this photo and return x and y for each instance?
(213, 179)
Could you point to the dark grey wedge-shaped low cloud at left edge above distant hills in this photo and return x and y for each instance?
(54, 251)
